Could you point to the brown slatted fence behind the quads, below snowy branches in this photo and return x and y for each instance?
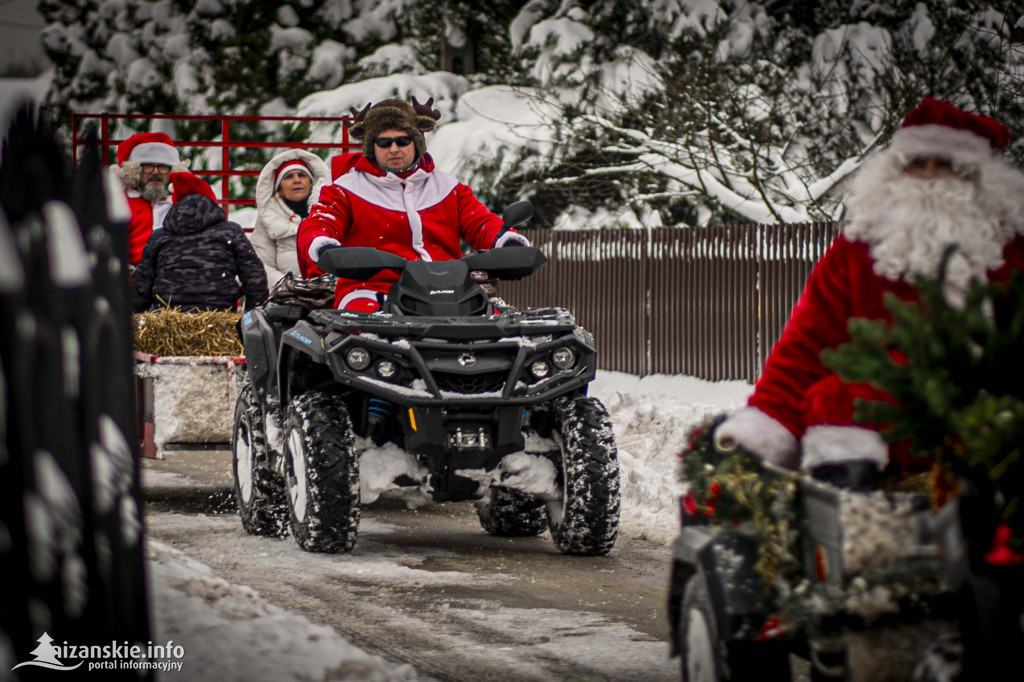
(708, 303)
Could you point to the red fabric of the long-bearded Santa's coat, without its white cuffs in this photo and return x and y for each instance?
(796, 389)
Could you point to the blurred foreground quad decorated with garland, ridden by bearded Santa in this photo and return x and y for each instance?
(775, 563)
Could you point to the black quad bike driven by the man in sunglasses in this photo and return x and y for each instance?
(453, 393)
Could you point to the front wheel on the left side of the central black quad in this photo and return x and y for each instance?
(322, 470)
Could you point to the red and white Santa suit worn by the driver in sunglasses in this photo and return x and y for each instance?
(422, 216)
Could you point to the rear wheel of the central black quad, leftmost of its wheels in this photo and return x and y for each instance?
(260, 490)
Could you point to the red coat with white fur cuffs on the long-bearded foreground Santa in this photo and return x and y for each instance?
(798, 398)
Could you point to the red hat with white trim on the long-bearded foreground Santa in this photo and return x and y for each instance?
(938, 129)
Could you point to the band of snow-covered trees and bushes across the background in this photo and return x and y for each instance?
(644, 112)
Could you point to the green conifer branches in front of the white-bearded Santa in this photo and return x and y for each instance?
(954, 375)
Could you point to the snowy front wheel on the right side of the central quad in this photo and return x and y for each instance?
(585, 521)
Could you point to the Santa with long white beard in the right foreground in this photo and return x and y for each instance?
(937, 185)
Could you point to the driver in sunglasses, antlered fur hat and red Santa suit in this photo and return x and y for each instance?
(393, 198)
